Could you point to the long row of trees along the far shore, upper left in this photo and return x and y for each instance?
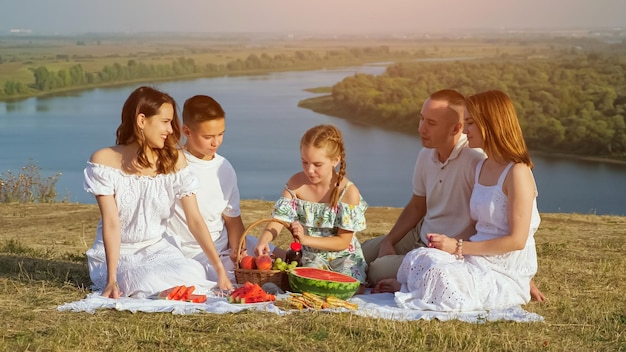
(47, 80)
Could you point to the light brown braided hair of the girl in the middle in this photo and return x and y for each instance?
(330, 139)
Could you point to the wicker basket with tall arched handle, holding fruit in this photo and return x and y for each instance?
(260, 277)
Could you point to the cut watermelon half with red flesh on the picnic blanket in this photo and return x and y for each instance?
(322, 282)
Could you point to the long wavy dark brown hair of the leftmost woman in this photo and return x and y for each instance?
(148, 101)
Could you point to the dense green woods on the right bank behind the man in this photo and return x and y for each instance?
(573, 104)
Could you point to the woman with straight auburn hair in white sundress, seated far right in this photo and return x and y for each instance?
(494, 268)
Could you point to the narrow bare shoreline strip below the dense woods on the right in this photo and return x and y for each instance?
(325, 105)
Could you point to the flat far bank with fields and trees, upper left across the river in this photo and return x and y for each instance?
(114, 61)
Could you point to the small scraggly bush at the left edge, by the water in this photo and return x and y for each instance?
(28, 186)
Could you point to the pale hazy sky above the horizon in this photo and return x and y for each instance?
(325, 16)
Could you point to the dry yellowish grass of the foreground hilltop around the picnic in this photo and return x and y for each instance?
(582, 270)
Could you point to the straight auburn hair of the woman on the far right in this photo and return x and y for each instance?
(494, 114)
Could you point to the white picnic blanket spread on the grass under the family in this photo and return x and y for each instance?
(380, 305)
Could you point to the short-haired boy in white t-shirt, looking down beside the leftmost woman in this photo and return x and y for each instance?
(218, 195)
